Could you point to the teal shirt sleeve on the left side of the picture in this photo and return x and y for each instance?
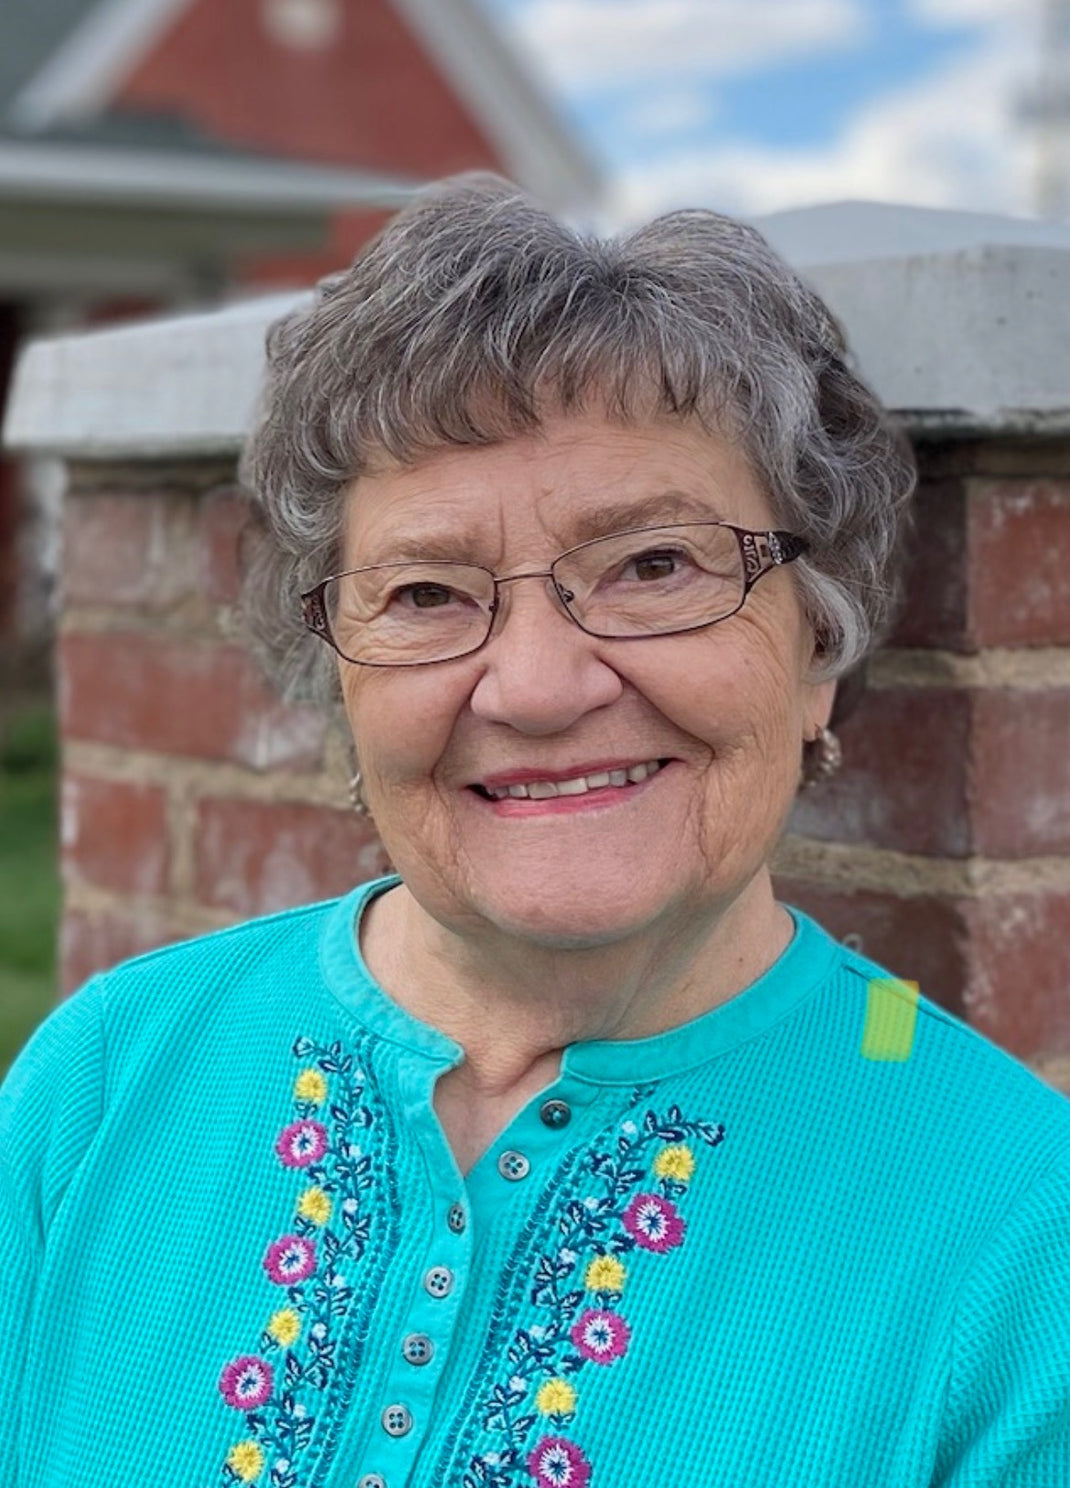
(50, 1111)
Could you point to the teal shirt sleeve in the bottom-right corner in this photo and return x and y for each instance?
(1008, 1405)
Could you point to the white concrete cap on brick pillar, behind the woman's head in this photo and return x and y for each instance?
(961, 322)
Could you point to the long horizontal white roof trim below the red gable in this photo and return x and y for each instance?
(97, 175)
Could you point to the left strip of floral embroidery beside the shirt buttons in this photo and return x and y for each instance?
(281, 1389)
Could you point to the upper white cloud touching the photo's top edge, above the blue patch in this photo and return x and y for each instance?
(596, 42)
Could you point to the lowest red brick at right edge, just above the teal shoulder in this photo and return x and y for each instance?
(1019, 981)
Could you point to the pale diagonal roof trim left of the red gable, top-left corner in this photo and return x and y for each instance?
(89, 66)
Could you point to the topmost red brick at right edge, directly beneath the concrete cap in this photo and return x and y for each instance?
(1019, 547)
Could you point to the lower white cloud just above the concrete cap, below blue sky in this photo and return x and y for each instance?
(949, 141)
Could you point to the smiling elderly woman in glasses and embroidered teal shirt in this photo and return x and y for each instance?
(568, 1155)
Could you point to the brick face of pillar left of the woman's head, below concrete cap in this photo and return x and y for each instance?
(191, 795)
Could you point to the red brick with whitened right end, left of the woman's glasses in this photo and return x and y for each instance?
(157, 693)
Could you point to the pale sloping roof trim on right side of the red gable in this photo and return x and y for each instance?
(538, 148)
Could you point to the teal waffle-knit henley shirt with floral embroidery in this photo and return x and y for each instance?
(816, 1239)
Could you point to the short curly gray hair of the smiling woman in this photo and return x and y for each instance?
(475, 313)
